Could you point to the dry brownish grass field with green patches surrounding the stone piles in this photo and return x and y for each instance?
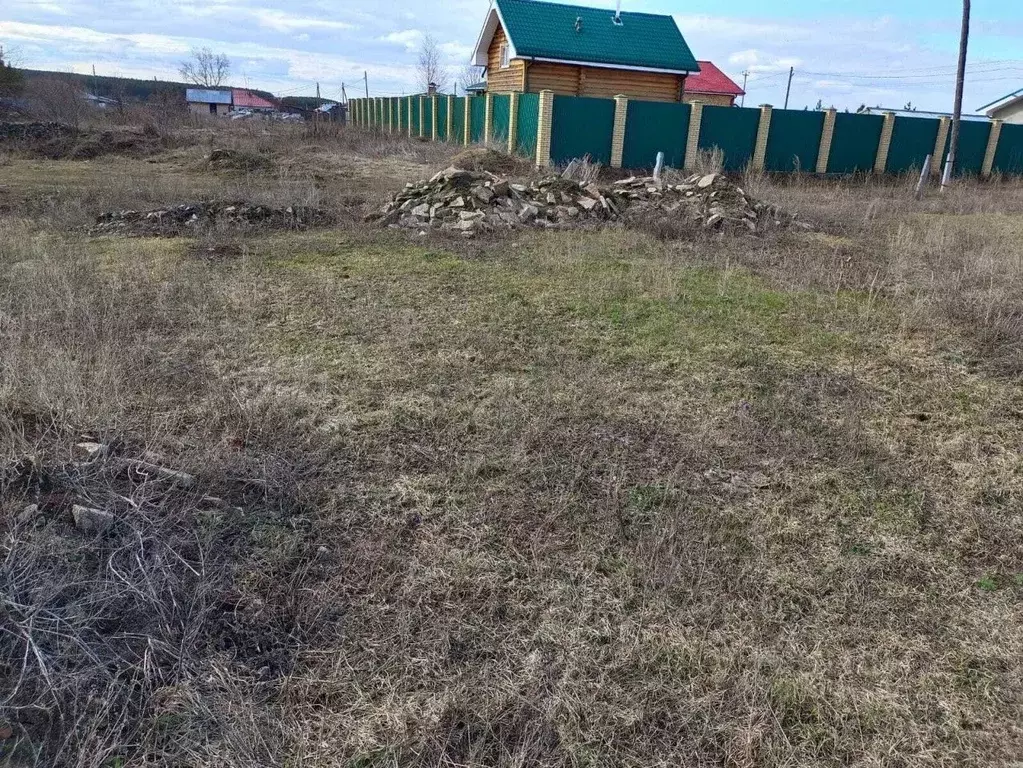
(577, 499)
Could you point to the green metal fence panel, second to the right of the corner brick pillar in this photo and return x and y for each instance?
(653, 127)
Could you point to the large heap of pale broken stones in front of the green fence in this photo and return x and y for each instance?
(474, 202)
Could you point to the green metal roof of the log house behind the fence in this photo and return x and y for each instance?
(543, 30)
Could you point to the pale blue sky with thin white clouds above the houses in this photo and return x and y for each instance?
(844, 53)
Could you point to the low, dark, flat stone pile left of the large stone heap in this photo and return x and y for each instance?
(195, 217)
